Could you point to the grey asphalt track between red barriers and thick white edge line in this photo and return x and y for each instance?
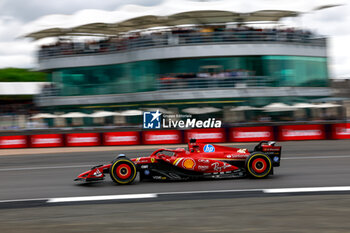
(303, 164)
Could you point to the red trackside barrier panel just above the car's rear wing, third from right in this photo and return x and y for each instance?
(251, 134)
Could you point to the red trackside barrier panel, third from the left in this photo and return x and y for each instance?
(83, 139)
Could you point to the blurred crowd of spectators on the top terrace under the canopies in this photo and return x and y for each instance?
(173, 36)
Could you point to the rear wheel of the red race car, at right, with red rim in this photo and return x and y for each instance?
(258, 165)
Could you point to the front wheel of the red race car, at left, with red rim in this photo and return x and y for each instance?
(123, 171)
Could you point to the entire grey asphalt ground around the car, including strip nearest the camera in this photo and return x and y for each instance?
(303, 164)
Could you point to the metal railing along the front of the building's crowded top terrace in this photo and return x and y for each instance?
(164, 40)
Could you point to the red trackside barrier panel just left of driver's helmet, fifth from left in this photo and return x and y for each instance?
(162, 137)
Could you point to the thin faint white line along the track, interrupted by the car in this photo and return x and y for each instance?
(82, 166)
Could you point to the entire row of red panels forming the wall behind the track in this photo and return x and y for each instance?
(213, 135)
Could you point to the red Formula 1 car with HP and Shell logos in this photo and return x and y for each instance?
(199, 161)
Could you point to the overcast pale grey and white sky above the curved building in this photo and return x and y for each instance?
(19, 17)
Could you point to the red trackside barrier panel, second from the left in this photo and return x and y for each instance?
(46, 140)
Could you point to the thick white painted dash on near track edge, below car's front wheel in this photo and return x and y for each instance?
(103, 198)
